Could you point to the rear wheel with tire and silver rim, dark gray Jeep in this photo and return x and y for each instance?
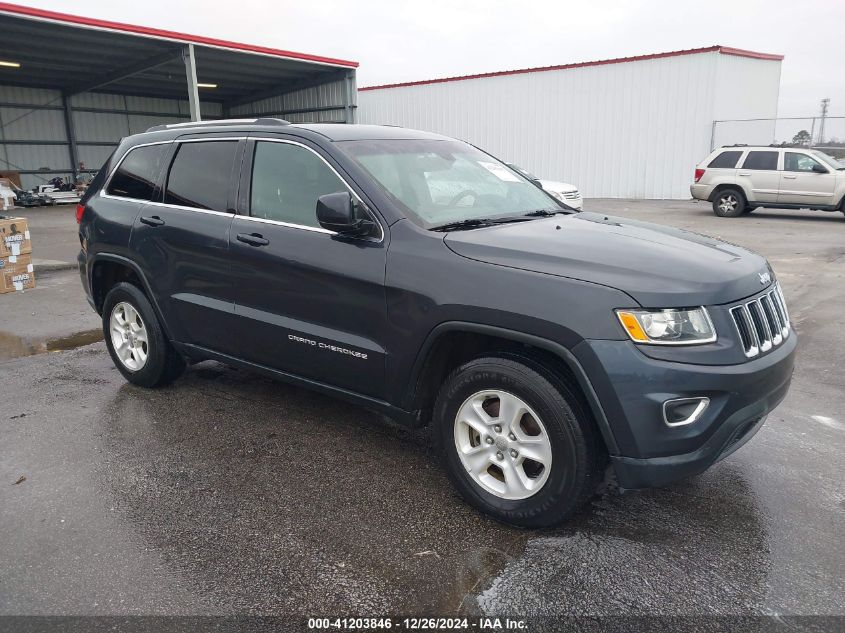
(136, 340)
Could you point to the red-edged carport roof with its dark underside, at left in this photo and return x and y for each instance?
(79, 54)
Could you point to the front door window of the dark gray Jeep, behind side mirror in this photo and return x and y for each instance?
(286, 182)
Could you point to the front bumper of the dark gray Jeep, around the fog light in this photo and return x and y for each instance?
(632, 388)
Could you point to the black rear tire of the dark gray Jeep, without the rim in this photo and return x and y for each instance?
(163, 363)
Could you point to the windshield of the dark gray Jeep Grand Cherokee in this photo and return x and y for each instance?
(440, 182)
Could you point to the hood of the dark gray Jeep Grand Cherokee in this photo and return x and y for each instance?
(660, 267)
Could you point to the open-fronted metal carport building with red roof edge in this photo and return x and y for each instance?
(71, 87)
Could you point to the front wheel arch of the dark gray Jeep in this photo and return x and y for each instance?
(453, 342)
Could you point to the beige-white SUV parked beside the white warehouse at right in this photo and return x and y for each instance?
(738, 179)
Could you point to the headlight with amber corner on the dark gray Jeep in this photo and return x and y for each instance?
(669, 326)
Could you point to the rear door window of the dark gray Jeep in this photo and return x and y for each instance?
(200, 175)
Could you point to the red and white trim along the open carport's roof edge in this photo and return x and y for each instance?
(168, 35)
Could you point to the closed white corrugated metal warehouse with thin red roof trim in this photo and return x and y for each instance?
(622, 128)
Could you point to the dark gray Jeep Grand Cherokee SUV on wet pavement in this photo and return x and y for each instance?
(420, 277)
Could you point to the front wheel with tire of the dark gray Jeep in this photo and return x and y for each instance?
(516, 441)
